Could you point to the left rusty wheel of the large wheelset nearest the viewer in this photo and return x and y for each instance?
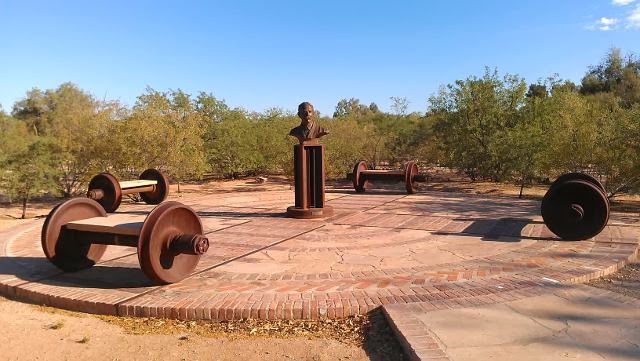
(63, 251)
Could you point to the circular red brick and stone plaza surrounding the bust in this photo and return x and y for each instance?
(427, 258)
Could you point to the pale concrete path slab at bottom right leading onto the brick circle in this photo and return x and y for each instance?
(568, 322)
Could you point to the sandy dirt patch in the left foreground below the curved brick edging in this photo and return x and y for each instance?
(37, 333)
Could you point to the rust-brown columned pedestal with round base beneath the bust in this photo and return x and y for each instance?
(308, 159)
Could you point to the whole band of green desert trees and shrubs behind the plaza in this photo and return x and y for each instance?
(490, 126)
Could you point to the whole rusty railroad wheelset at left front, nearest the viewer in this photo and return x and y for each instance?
(169, 241)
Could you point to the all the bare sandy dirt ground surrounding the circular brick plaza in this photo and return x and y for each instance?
(32, 332)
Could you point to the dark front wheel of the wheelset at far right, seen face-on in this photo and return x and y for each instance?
(575, 209)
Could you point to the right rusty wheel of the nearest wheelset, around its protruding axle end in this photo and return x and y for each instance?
(158, 261)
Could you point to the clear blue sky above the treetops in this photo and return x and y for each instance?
(262, 54)
